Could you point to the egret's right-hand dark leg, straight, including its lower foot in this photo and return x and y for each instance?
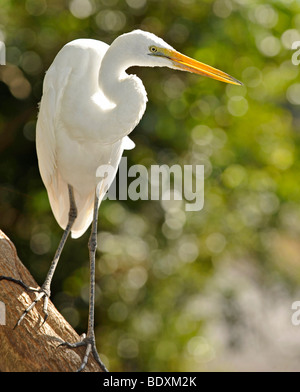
(89, 340)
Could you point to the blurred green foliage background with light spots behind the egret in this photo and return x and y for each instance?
(176, 290)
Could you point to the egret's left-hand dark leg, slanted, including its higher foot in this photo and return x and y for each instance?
(44, 291)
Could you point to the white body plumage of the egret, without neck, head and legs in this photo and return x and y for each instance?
(73, 131)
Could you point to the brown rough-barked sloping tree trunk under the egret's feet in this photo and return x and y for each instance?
(32, 346)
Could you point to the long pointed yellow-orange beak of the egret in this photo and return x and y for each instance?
(186, 63)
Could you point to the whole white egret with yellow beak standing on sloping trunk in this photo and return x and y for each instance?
(89, 106)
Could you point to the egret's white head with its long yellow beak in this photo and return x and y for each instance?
(146, 49)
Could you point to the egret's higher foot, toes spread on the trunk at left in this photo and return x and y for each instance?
(41, 292)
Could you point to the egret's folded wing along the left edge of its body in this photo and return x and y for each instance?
(46, 144)
